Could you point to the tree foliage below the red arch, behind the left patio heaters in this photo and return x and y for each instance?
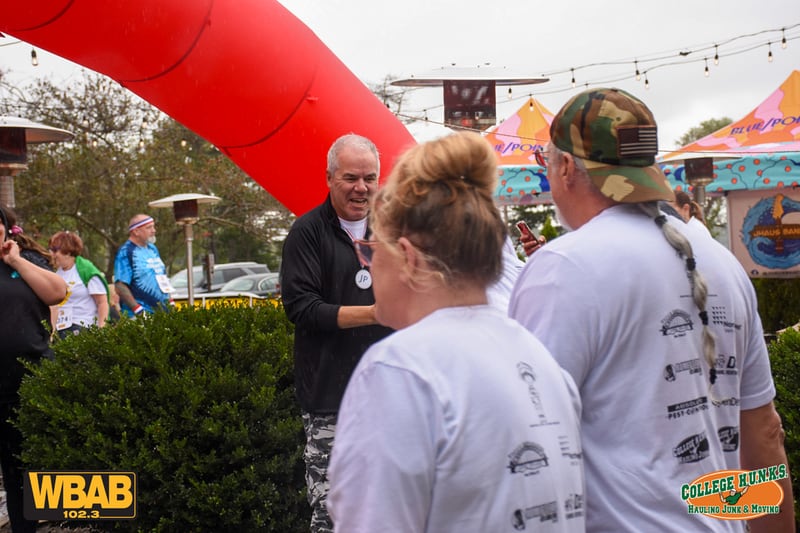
(126, 153)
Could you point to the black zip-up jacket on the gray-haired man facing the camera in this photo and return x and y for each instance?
(318, 272)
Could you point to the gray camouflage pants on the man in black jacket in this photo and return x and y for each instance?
(319, 440)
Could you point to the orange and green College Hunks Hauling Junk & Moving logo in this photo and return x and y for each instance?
(736, 494)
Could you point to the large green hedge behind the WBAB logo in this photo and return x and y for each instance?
(198, 403)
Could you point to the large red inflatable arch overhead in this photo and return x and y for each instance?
(244, 74)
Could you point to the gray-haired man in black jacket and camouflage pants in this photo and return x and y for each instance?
(327, 294)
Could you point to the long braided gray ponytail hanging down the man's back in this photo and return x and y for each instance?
(696, 282)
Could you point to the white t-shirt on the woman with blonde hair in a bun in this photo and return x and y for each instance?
(460, 422)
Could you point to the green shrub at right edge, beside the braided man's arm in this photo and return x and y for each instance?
(784, 354)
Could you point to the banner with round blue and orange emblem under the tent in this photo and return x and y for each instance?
(765, 231)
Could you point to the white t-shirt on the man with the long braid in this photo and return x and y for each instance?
(612, 303)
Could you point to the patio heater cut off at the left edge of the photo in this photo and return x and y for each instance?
(15, 136)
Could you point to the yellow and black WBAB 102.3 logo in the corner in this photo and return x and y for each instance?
(79, 495)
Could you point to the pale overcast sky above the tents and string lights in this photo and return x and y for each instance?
(374, 38)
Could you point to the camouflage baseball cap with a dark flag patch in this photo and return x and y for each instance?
(615, 134)
